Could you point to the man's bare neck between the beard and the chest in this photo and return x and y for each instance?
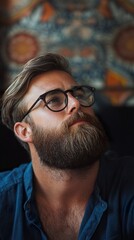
(64, 187)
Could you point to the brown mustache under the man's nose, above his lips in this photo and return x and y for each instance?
(80, 116)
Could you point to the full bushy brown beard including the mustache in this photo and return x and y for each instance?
(71, 147)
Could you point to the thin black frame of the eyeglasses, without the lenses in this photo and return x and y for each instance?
(42, 97)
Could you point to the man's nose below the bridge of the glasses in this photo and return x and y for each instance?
(73, 104)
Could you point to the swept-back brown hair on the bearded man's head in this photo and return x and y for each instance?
(13, 107)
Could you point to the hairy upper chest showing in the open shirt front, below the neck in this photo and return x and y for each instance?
(61, 224)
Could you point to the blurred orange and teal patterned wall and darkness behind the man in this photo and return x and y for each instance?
(97, 37)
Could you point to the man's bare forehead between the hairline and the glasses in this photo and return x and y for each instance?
(49, 81)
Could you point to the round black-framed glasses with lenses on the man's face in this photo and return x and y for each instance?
(57, 100)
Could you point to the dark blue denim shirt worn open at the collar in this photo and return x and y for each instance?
(109, 214)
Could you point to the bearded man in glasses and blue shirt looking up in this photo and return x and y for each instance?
(71, 189)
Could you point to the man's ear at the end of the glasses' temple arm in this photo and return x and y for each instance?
(23, 131)
